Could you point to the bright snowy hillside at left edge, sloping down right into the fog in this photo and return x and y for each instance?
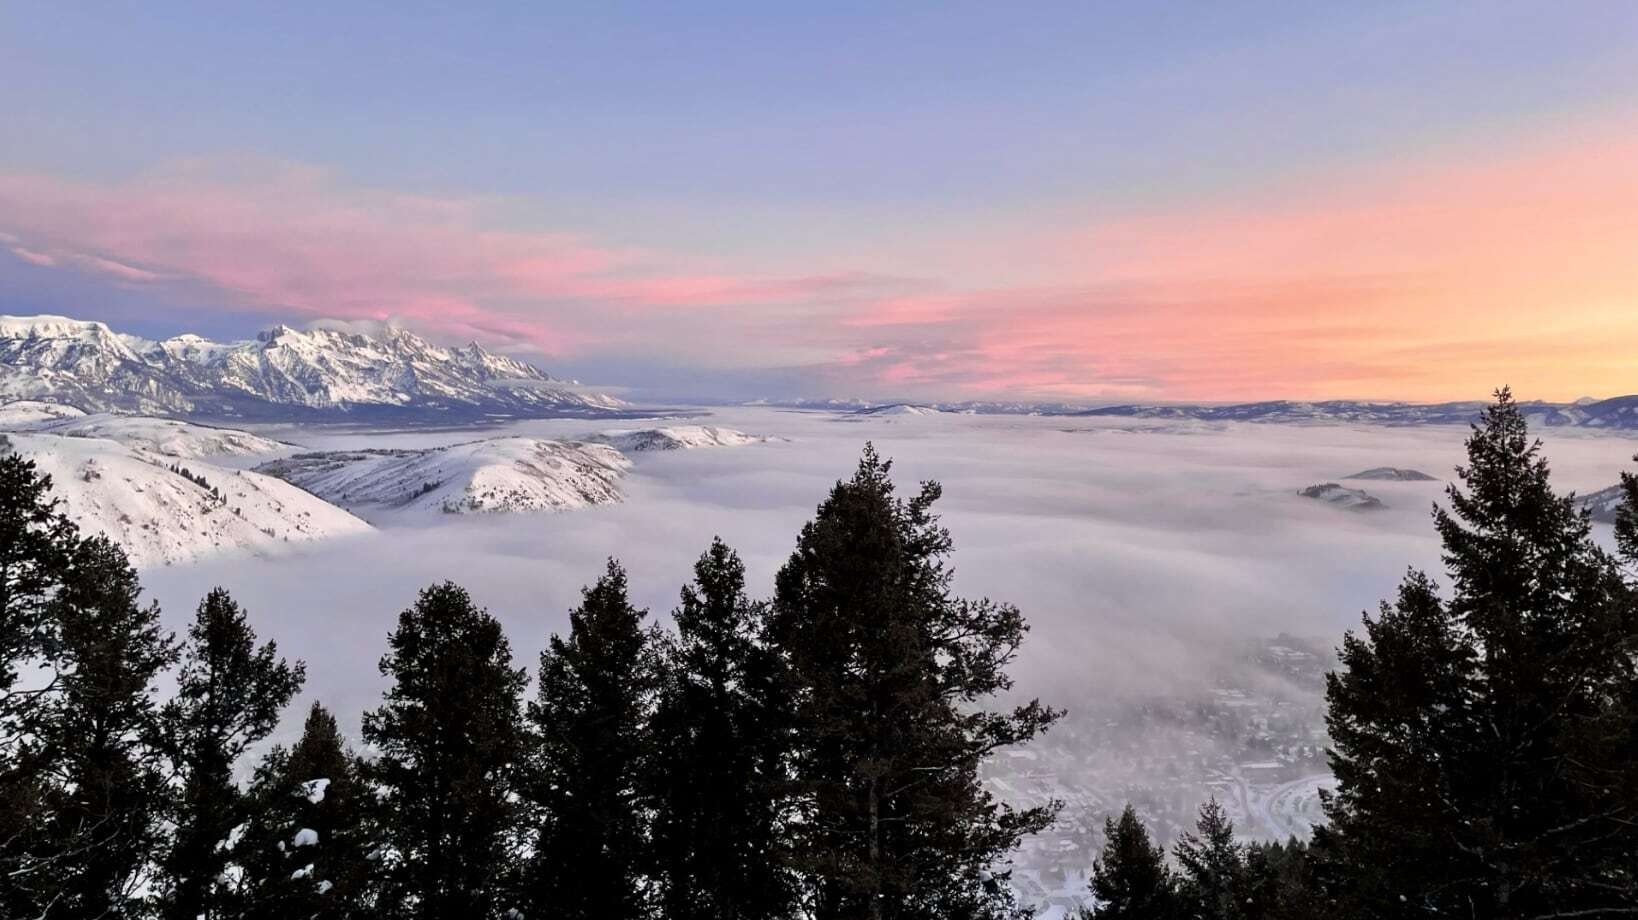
(163, 516)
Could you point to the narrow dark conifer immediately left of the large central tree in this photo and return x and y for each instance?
(718, 744)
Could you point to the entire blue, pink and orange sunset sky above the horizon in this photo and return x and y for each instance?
(1095, 202)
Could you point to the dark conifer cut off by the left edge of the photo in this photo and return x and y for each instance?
(37, 543)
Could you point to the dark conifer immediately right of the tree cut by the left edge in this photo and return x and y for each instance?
(101, 741)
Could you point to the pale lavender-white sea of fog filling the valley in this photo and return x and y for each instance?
(1138, 551)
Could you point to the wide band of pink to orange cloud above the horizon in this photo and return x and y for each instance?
(1437, 279)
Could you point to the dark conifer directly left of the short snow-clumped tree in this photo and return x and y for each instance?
(230, 695)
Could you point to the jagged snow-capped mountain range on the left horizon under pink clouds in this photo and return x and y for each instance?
(281, 374)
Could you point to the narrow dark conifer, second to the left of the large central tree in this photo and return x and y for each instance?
(590, 723)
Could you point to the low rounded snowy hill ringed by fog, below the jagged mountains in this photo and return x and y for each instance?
(495, 476)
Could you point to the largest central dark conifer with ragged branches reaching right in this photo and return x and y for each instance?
(885, 674)
